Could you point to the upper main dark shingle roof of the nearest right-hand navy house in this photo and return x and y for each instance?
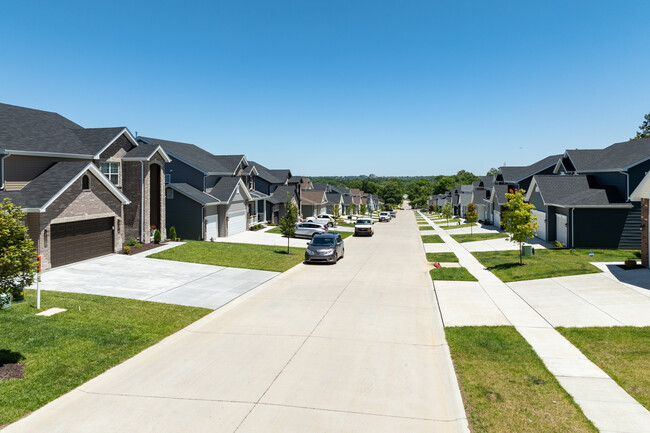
(616, 157)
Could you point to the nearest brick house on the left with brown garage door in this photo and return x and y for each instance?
(85, 190)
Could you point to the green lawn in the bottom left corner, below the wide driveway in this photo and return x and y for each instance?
(63, 351)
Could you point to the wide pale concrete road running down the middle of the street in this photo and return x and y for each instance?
(354, 347)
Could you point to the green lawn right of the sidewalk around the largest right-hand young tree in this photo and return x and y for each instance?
(549, 263)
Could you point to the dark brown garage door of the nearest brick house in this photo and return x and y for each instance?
(80, 240)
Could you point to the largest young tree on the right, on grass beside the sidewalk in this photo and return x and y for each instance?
(518, 220)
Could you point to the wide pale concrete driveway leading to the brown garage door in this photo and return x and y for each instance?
(138, 277)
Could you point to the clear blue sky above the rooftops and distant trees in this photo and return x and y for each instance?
(340, 87)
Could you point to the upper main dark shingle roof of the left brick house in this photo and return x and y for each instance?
(25, 129)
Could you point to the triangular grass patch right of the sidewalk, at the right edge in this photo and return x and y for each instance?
(622, 352)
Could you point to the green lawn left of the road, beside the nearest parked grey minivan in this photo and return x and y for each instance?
(262, 257)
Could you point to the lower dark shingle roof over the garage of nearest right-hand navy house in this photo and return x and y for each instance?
(576, 191)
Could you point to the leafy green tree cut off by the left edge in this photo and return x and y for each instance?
(17, 256)
